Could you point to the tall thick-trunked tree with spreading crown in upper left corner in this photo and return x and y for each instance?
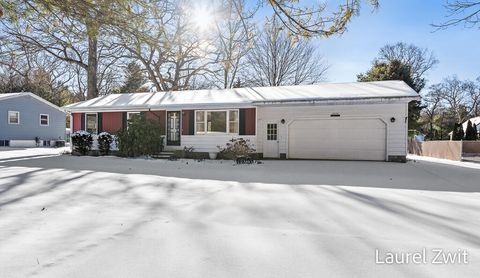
(71, 31)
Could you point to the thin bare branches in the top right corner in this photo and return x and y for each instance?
(466, 12)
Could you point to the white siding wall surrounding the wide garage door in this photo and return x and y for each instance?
(396, 131)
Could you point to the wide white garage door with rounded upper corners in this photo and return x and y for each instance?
(346, 139)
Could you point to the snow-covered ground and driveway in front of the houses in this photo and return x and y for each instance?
(64, 216)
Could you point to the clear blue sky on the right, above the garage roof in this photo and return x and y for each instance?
(456, 48)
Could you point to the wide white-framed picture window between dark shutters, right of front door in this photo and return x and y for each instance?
(225, 121)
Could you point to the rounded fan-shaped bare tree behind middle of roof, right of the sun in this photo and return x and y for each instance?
(278, 59)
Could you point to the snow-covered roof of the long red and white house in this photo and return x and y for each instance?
(250, 96)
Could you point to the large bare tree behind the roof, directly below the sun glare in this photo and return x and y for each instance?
(174, 56)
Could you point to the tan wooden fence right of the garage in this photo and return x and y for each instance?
(453, 150)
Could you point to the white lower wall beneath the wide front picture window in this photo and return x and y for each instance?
(208, 143)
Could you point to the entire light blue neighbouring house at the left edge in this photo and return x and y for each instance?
(25, 117)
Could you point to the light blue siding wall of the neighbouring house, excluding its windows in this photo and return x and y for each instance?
(29, 127)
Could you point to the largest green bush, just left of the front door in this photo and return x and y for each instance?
(142, 137)
